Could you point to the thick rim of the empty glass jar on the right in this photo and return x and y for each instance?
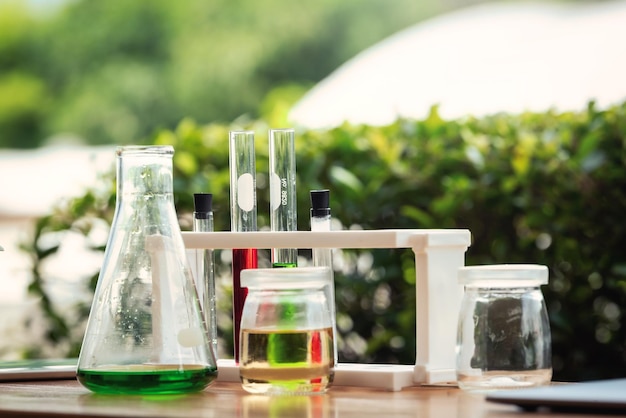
(504, 275)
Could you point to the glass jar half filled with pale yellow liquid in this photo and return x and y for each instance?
(287, 334)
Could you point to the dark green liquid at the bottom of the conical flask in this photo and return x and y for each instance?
(147, 379)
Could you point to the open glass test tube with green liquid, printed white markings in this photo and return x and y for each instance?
(283, 211)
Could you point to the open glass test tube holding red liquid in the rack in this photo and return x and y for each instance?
(243, 216)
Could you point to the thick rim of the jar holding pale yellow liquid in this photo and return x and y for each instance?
(286, 278)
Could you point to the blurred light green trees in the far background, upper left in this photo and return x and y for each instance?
(116, 71)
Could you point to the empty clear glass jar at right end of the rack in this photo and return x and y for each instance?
(503, 338)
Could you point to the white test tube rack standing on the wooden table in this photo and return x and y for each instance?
(438, 255)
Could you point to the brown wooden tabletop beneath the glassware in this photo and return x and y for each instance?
(67, 398)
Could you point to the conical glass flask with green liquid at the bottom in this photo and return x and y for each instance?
(146, 333)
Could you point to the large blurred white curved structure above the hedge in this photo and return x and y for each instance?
(496, 57)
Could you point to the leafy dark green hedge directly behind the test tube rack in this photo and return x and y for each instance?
(532, 188)
